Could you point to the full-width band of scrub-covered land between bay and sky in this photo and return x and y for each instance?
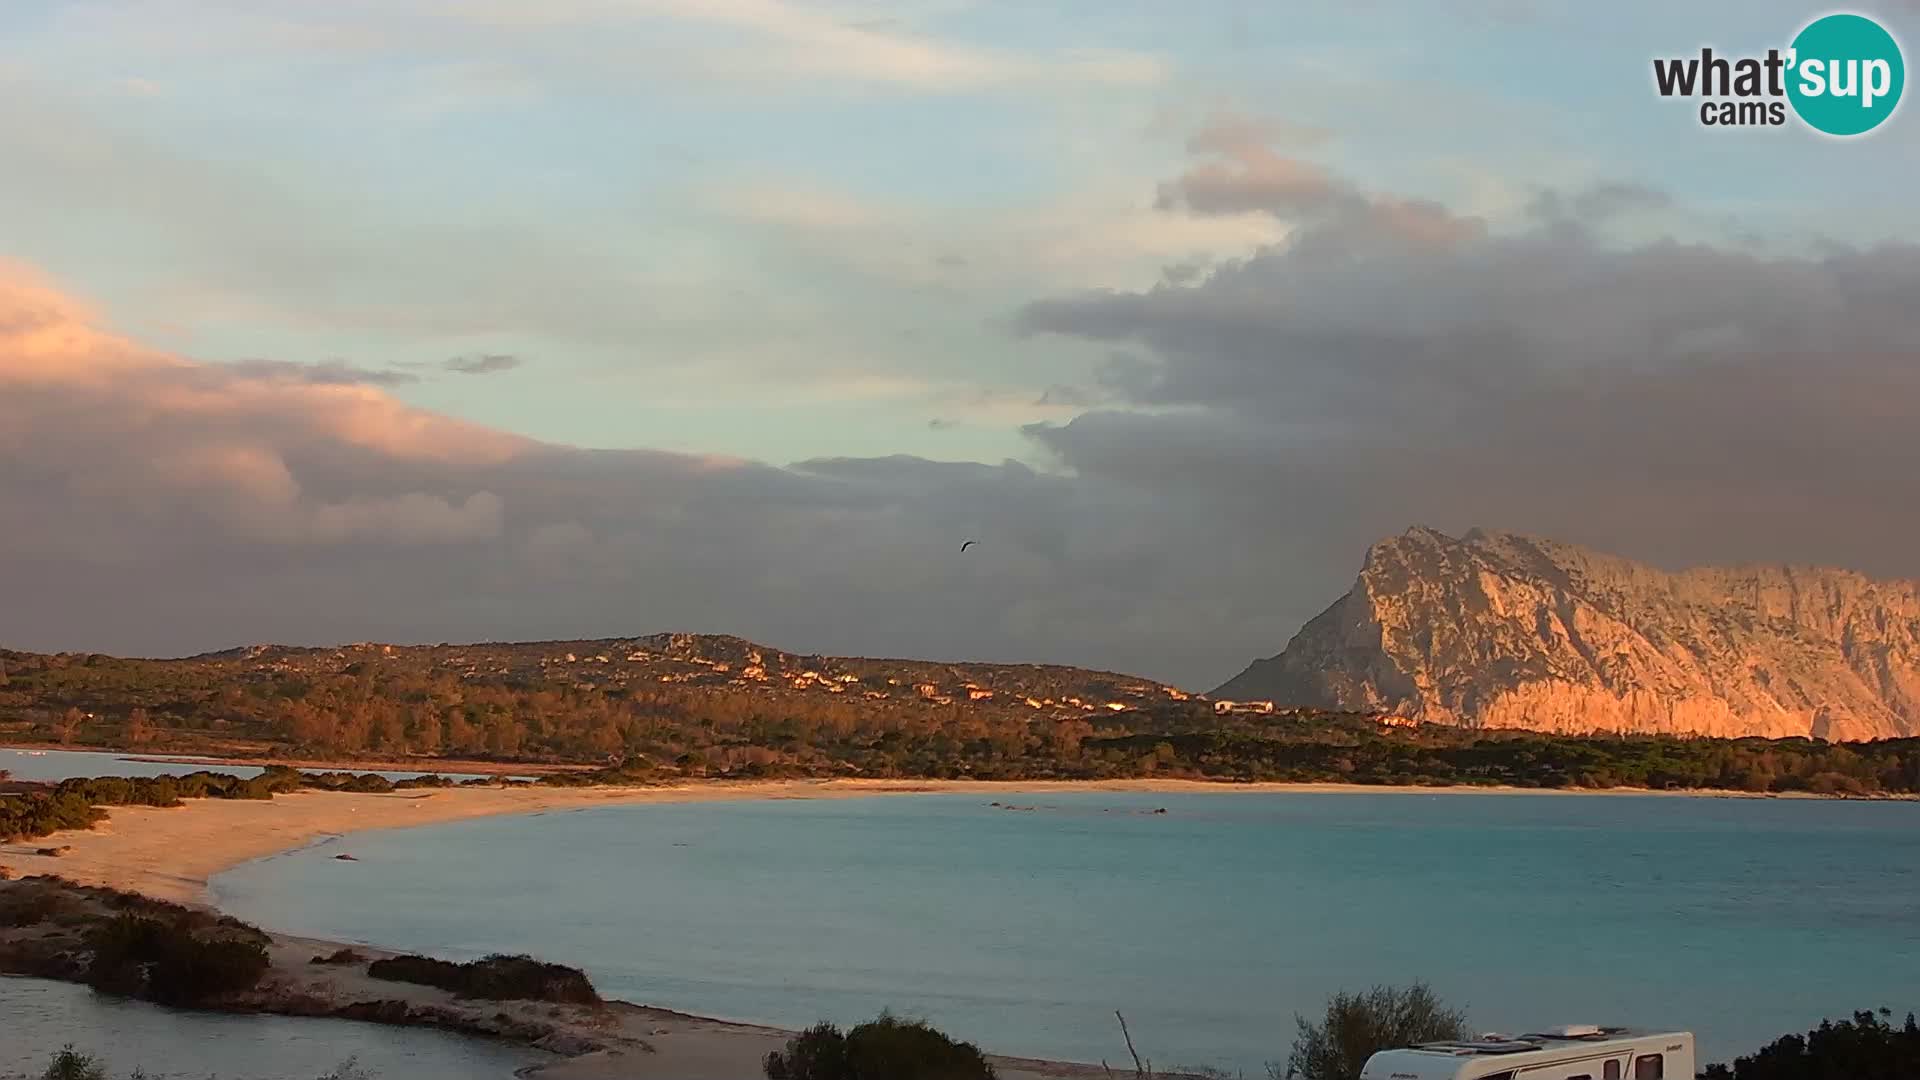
(717, 706)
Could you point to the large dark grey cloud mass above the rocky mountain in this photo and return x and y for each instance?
(1395, 362)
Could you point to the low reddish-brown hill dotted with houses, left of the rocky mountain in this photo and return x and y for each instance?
(577, 700)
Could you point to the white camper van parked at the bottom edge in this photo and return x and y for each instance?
(1579, 1052)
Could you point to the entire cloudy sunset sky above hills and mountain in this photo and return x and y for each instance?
(431, 320)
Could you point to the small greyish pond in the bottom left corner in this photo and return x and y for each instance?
(39, 1018)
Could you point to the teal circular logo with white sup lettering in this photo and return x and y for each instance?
(1846, 74)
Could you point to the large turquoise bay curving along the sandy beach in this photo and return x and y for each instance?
(1211, 925)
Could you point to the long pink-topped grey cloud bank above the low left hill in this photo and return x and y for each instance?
(158, 504)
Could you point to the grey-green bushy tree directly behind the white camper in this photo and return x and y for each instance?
(1360, 1025)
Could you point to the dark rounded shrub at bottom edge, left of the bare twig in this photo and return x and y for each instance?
(880, 1050)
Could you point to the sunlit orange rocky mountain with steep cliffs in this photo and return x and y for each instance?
(1510, 631)
